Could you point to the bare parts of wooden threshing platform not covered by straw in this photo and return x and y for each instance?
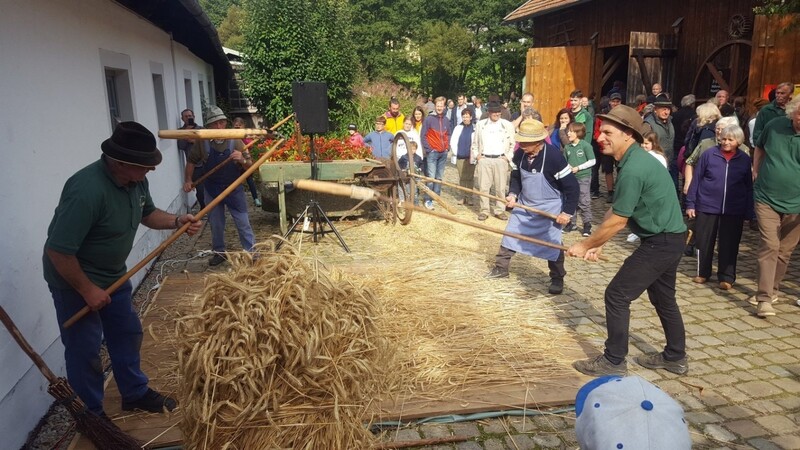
(171, 300)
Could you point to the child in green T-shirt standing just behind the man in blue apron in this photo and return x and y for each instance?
(580, 157)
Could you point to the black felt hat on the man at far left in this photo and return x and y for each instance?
(132, 143)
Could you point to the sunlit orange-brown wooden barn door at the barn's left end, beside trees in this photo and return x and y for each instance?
(553, 72)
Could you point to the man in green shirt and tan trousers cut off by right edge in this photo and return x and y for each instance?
(776, 168)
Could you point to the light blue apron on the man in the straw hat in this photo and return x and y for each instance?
(536, 193)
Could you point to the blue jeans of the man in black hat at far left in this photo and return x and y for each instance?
(120, 325)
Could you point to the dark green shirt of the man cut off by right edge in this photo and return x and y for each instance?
(777, 183)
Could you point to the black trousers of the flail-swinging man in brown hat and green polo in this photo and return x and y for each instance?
(653, 267)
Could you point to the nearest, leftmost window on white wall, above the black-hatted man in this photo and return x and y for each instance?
(119, 89)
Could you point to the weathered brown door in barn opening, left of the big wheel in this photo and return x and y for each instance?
(651, 60)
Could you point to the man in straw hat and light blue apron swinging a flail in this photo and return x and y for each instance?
(541, 179)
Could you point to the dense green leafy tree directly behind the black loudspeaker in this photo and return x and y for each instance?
(293, 40)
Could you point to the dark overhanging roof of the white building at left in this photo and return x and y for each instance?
(190, 26)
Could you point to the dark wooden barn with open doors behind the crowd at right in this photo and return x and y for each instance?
(688, 46)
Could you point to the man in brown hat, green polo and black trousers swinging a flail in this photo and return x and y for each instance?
(645, 200)
